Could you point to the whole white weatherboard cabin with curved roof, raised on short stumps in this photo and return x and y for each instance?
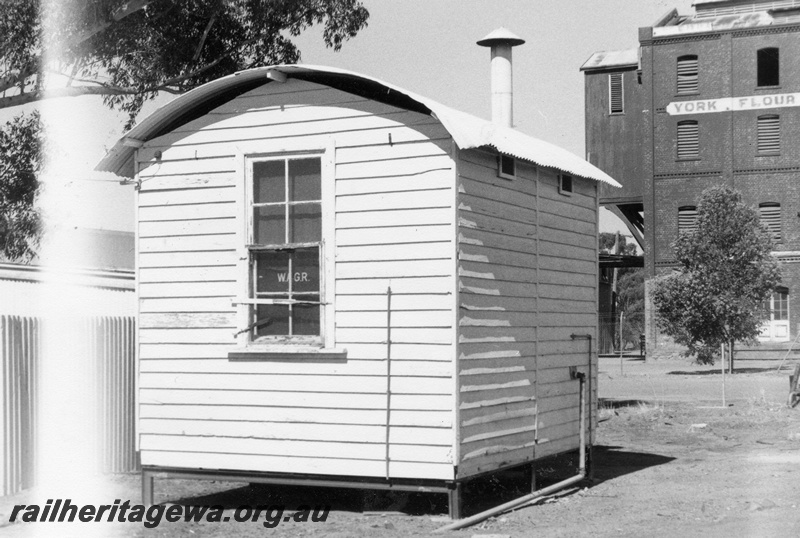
(343, 283)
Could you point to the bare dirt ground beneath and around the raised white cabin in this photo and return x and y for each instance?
(668, 460)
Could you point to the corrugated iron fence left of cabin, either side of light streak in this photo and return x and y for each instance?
(109, 343)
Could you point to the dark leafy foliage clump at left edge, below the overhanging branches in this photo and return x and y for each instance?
(20, 162)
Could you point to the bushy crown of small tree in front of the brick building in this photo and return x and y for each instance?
(726, 273)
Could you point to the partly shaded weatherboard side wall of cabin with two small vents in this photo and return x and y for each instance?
(527, 283)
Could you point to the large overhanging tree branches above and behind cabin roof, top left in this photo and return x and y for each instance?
(128, 51)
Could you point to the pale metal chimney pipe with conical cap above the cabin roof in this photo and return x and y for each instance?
(501, 41)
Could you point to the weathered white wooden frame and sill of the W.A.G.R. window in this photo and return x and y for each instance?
(301, 345)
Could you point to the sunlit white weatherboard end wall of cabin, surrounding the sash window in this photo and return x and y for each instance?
(394, 226)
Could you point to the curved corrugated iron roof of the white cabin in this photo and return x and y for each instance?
(468, 131)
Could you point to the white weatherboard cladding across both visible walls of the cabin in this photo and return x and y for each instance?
(489, 279)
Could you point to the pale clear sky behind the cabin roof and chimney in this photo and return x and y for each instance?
(428, 47)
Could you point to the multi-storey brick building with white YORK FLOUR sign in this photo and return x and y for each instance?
(708, 98)
